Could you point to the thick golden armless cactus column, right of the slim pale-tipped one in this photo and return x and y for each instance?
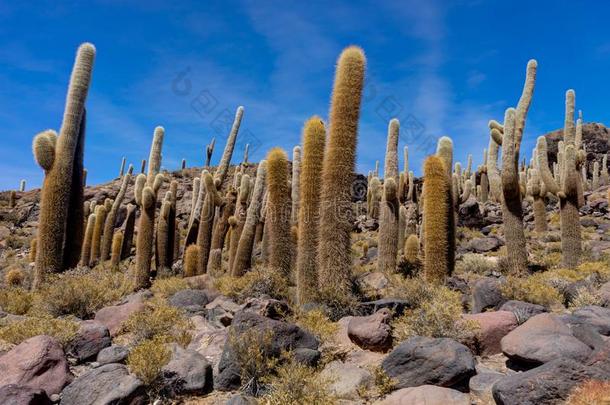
(437, 215)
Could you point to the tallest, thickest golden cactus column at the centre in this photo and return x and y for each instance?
(334, 245)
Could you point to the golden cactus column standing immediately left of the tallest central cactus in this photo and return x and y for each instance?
(314, 140)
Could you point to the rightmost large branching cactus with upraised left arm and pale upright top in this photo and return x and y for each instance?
(567, 189)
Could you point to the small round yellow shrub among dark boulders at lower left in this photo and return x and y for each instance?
(147, 359)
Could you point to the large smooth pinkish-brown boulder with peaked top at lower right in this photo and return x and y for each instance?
(541, 339)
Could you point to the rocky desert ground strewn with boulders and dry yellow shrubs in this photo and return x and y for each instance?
(485, 338)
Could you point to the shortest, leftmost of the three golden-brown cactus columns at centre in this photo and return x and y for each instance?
(278, 212)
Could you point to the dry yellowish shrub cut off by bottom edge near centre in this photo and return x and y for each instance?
(296, 384)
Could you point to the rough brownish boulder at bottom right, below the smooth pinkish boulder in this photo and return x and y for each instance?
(549, 384)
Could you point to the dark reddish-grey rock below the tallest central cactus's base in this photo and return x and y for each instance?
(372, 332)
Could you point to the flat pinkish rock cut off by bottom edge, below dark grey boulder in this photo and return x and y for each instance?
(426, 394)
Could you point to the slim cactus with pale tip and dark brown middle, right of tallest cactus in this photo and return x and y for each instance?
(389, 211)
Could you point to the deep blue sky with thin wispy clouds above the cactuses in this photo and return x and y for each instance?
(443, 68)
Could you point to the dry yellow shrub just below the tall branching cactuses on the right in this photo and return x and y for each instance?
(534, 289)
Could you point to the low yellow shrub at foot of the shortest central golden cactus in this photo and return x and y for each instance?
(256, 283)
